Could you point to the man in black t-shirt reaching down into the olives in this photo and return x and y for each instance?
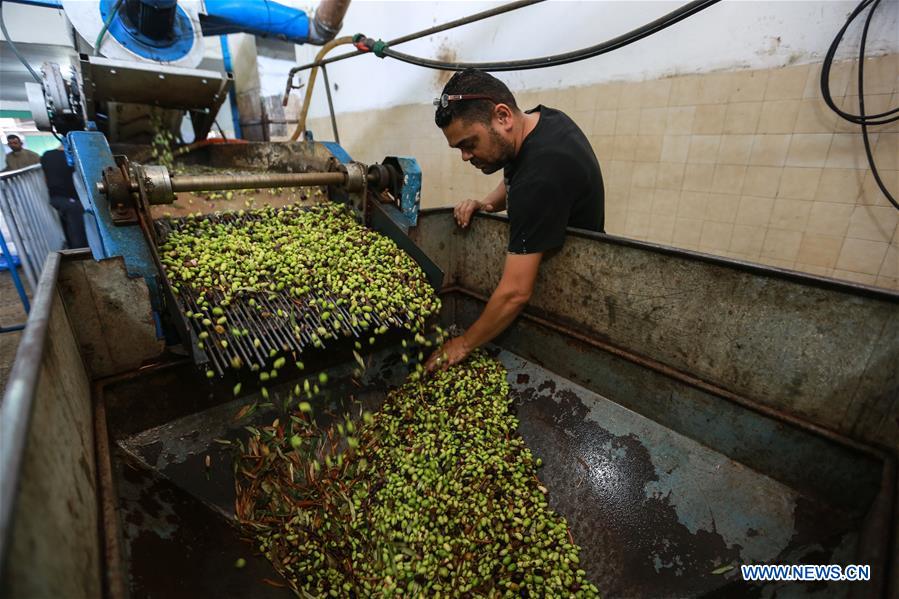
(551, 181)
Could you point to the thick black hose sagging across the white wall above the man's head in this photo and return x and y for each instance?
(630, 37)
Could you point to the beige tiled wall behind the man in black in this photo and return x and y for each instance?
(746, 164)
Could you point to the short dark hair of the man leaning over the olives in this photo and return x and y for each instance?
(473, 81)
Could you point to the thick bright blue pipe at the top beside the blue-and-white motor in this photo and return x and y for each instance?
(259, 17)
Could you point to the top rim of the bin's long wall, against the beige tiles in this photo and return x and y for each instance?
(759, 269)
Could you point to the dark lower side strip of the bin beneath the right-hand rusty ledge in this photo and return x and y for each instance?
(804, 460)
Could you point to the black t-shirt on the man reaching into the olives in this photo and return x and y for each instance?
(553, 183)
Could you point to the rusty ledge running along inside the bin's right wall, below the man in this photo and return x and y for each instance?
(874, 550)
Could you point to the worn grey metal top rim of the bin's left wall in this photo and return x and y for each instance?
(18, 398)
